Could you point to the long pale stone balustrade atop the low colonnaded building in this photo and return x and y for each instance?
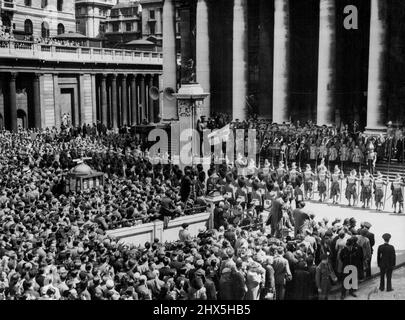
(58, 53)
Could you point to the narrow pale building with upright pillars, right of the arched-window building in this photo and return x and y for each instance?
(91, 17)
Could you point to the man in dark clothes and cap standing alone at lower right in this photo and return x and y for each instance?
(386, 261)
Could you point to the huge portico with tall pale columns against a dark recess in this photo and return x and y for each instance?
(293, 60)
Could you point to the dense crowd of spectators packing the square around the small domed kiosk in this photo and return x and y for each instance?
(264, 244)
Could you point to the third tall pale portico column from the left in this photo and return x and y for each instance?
(240, 59)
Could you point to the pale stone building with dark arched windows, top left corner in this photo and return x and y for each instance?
(38, 18)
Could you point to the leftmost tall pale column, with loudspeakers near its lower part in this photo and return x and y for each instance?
(169, 58)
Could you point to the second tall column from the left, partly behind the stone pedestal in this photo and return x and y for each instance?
(203, 52)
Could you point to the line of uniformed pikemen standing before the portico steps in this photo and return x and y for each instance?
(257, 186)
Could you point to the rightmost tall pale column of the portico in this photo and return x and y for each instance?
(376, 99)
